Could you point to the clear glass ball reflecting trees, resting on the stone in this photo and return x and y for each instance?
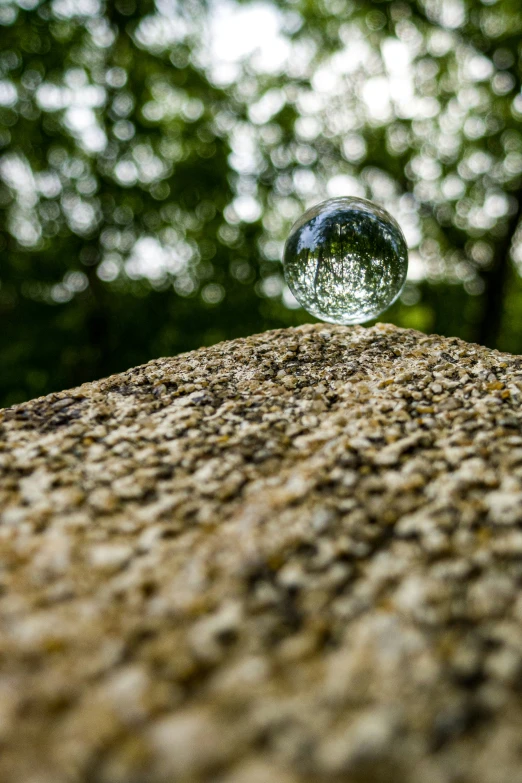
(345, 260)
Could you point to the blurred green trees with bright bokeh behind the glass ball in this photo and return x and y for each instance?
(153, 156)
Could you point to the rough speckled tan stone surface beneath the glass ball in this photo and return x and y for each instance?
(292, 558)
